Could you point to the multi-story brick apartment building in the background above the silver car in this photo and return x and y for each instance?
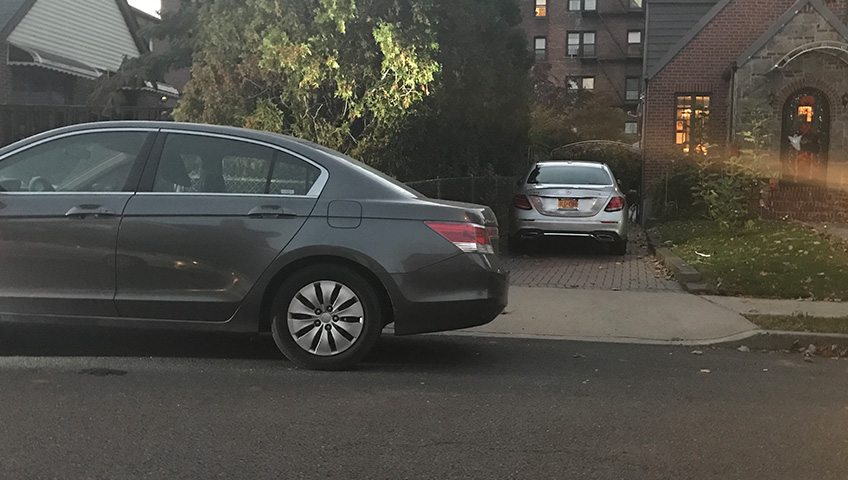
(593, 45)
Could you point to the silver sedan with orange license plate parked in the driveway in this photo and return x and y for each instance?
(570, 199)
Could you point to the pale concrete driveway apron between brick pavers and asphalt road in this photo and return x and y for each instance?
(620, 317)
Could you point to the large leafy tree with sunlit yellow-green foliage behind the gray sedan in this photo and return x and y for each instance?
(341, 73)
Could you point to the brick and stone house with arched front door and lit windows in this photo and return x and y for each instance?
(711, 65)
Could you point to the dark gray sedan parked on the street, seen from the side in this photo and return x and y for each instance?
(211, 228)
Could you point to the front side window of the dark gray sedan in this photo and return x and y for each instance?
(88, 162)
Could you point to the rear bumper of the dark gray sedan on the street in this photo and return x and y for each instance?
(464, 291)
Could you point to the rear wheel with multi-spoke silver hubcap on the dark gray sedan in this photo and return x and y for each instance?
(326, 341)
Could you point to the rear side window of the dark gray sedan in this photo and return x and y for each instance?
(202, 164)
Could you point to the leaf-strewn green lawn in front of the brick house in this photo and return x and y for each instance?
(768, 259)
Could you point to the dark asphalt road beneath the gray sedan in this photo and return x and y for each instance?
(79, 404)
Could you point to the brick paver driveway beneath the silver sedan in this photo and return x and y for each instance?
(585, 264)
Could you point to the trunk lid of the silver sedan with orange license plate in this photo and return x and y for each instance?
(565, 201)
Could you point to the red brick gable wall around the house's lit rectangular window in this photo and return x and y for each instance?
(702, 67)
